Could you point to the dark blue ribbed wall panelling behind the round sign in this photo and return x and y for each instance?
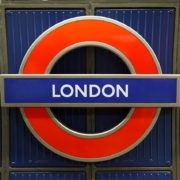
(157, 27)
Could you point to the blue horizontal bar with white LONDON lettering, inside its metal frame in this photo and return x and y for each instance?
(90, 90)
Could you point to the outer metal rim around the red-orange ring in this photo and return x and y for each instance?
(155, 61)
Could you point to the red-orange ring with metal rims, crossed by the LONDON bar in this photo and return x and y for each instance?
(85, 31)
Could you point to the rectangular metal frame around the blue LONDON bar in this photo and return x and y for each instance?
(104, 76)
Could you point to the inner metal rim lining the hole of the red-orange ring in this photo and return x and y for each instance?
(96, 44)
